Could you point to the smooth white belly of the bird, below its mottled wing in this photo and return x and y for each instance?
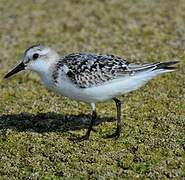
(102, 92)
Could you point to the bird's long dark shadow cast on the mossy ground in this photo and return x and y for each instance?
(47, 122)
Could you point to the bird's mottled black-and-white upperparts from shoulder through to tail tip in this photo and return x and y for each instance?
(87, 70)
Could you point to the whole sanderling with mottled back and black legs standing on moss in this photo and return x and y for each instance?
(89, 77)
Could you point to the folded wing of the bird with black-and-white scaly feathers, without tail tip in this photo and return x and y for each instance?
(87, 70)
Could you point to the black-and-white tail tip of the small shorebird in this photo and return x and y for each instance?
(165, 66)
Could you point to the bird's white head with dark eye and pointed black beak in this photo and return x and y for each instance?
(37, 58)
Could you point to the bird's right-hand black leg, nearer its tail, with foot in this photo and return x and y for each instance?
(116, 134)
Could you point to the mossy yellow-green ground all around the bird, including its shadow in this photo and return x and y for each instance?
(35, 125)
